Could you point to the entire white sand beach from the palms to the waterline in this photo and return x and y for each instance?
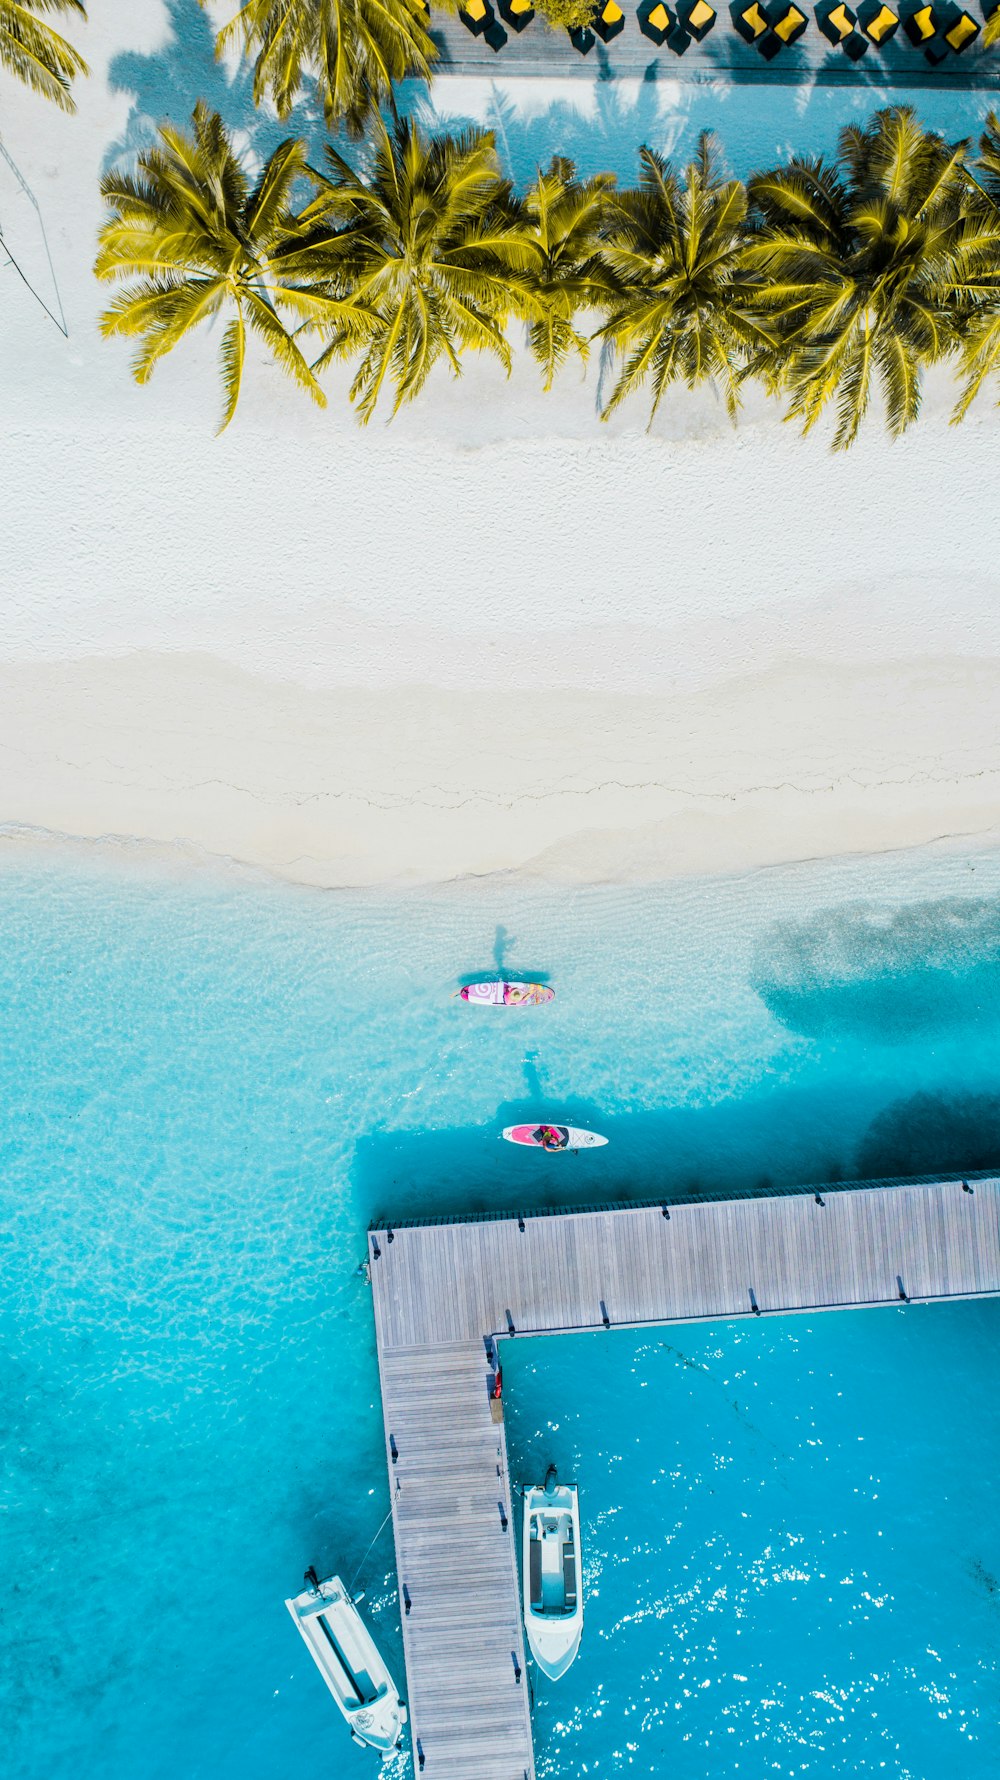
(492, 636)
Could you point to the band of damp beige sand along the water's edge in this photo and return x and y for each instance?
(206, 766)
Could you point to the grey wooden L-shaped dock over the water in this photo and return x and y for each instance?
(448, 1293)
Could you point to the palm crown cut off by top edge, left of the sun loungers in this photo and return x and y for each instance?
(355, 49)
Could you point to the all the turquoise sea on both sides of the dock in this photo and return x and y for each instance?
(209, 1087)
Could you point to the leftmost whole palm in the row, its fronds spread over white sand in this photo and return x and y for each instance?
(197, 239)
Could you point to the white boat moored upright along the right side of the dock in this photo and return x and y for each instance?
(552, 1578)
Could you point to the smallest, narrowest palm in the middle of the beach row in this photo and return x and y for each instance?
(565, 218)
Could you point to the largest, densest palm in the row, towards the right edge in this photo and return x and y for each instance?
(860, 268)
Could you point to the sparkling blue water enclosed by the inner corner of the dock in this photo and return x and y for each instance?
(791, 1546)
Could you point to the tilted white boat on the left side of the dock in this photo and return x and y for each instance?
(350, 1663)
